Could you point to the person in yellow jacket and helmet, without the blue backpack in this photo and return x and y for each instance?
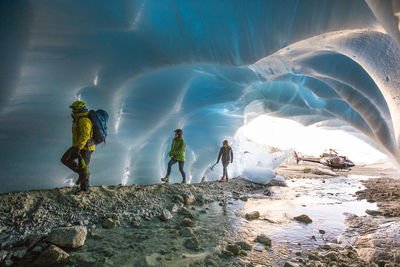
(77, 157)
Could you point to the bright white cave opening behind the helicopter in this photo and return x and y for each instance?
(276, 134)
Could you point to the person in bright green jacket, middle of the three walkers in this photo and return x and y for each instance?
(177, 154)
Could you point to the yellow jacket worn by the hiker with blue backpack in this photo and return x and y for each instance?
(82, 131)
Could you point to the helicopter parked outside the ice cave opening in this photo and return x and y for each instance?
(331, 159)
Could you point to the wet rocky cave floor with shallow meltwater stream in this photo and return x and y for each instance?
(209, 224)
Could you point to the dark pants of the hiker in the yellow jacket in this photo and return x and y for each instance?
(72, 159)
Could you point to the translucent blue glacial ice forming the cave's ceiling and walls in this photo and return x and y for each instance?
(204, 66)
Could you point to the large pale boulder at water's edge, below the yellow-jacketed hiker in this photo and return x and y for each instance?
(68, 237)
